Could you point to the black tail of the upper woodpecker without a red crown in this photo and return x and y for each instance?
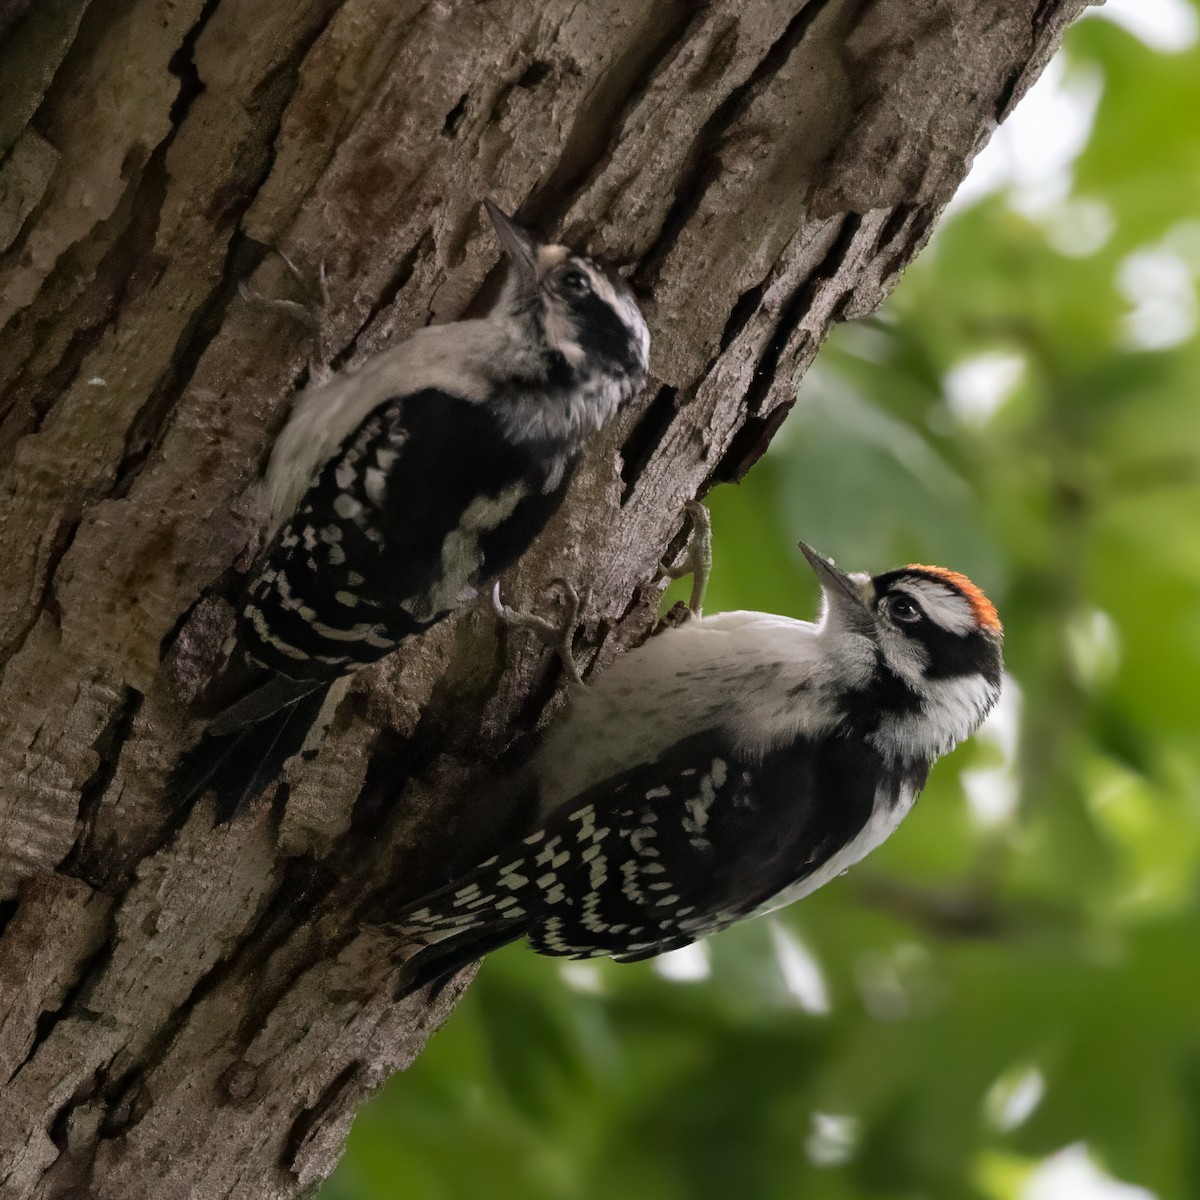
(238, 766)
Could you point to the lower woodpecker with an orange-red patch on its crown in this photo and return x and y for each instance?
(725, 769)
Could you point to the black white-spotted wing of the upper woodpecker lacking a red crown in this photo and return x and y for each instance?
(369, 559)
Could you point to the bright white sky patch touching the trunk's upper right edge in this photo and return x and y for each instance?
(1031, 155)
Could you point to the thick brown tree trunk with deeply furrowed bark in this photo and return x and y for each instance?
(196, 1012)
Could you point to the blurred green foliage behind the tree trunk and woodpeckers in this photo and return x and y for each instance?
(1018, 971)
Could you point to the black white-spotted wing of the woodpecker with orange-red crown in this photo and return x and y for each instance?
(662, 855)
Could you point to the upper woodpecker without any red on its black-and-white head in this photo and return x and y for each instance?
(401, 487)
